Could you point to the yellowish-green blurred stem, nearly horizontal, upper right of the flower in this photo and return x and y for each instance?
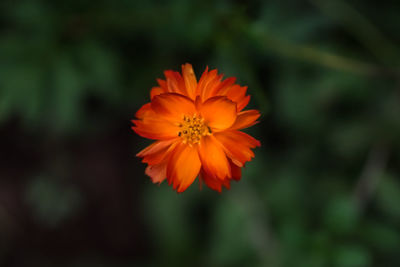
(316, 56)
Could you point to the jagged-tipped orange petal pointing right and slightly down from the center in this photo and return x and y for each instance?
(237, 145)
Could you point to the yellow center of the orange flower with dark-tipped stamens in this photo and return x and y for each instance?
(192, 129)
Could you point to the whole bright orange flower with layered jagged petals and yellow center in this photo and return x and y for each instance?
(196, 125)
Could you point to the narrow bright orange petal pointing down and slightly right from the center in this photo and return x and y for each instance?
(213, 158)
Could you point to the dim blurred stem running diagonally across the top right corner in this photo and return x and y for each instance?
(361, 28)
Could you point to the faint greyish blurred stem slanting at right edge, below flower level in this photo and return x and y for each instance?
(372, 172)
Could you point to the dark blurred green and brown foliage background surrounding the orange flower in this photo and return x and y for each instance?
(323, 190)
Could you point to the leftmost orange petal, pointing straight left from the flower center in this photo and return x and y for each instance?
(157, 128)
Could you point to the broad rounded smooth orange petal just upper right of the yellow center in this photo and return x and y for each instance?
(219, 112)
